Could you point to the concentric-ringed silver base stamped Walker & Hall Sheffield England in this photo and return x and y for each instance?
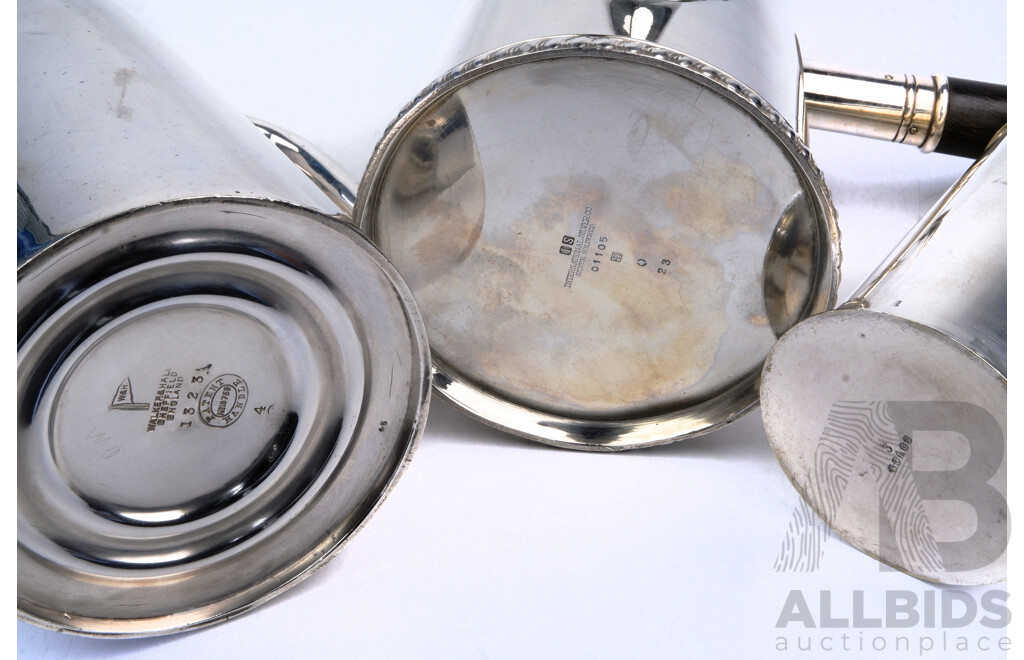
(205, 413)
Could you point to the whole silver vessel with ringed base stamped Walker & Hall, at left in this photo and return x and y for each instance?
(219, 382)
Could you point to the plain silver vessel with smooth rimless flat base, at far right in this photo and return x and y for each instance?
(889, 415)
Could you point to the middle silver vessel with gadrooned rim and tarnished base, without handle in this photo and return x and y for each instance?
(606, 236)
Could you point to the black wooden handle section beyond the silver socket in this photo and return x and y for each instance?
(976, 112)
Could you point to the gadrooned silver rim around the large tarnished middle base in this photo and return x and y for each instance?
(648, 432)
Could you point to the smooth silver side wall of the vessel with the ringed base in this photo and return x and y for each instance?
(107, 124)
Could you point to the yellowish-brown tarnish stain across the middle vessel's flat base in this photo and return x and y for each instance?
(506, 319)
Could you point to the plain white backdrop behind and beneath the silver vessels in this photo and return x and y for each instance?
(492, 547)
